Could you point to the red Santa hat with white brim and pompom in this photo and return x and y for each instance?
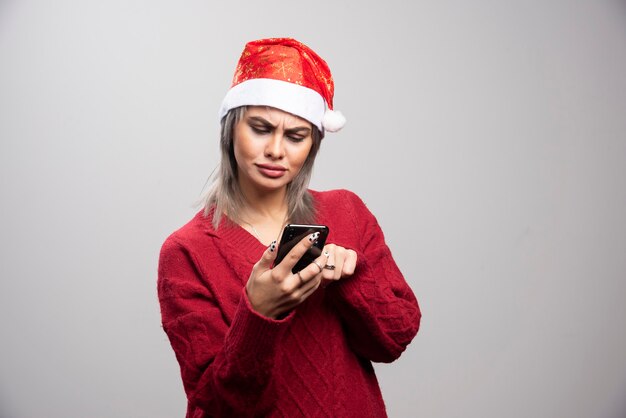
(288, 75)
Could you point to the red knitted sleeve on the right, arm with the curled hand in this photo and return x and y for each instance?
(379, 310)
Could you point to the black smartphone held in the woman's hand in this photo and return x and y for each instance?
(292, 234)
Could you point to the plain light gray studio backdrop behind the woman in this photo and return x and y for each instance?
(488, 137)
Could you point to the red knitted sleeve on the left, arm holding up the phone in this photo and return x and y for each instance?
(226, 363)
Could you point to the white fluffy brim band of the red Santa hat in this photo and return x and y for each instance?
(289, 97)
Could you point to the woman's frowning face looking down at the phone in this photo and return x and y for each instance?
(270, 147)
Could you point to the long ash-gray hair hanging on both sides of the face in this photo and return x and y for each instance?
(225, 196)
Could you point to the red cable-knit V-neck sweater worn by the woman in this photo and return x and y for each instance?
(315, 362)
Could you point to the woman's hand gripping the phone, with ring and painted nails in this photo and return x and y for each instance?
(274, 291)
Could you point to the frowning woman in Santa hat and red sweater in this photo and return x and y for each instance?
(254, 339)
